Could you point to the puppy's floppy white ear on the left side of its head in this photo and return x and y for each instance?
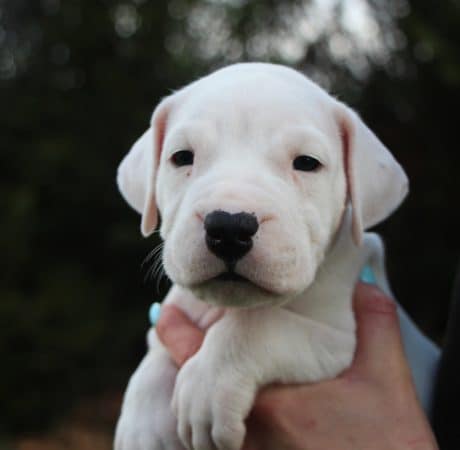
(137, 171)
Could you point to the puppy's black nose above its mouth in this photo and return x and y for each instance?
(229, 236)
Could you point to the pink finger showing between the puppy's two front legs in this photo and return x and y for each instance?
(179, 334)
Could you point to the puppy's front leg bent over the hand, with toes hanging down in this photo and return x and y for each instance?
(243, 351)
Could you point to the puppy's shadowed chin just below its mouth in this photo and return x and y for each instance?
(236, 294)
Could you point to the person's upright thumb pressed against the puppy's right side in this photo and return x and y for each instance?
(379, 352)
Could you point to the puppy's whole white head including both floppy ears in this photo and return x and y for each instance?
(251, 169)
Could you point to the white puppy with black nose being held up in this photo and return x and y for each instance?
(265, 184)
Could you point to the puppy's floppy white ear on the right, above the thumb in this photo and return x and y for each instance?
(376, 183)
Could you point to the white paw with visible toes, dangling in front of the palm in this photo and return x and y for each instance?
(211, 406)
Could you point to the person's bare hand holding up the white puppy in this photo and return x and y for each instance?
(371, 406)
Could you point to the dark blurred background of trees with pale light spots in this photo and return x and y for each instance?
(79, 80)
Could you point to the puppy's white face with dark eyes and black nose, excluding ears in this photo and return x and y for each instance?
(260, 147)
